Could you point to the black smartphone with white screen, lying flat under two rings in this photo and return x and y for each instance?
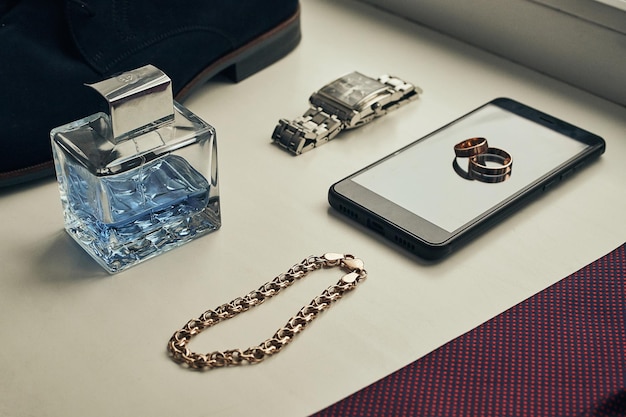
(428, 200)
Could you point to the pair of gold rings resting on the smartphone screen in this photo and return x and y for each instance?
(485, 163)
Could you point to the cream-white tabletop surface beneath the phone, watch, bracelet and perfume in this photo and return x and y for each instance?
(78, 342)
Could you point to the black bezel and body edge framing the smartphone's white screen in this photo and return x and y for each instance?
(430, 241)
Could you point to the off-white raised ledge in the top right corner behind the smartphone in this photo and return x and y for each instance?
(581, 42)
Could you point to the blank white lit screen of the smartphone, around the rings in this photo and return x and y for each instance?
(422, 179)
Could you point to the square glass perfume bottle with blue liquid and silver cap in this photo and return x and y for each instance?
(141, 180)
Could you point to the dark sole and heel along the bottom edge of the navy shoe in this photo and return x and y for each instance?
(237, 65)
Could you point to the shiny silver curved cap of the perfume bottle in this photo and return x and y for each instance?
(137, 99)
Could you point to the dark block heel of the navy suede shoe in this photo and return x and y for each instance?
(266, 50)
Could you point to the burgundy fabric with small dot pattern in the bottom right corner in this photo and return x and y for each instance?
(559, 353)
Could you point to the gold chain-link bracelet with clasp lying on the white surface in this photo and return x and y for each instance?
(178, 343)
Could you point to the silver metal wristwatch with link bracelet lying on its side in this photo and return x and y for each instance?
(348, 102)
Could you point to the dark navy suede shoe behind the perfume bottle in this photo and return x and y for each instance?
(50, 48)
